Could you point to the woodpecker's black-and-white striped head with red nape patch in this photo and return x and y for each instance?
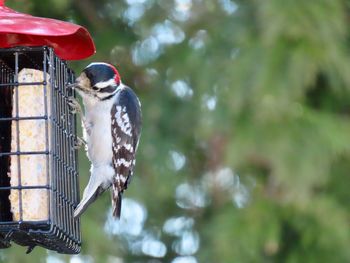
(99, 80)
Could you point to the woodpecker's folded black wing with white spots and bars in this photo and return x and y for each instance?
(126, 129)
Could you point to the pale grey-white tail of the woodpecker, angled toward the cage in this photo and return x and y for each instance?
(91, 192)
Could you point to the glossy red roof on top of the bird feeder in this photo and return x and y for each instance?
(70, 41)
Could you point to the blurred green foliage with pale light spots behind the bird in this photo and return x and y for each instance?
(246, 129)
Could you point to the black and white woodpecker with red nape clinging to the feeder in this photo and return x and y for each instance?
(111, 129)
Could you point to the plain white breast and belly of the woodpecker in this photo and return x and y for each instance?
(99, 135)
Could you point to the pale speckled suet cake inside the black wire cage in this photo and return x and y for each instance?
(30, 135)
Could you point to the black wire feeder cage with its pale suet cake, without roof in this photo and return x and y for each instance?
(58, 230)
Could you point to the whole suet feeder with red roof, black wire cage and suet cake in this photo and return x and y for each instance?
(38, 161)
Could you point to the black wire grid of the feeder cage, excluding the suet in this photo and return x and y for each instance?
(60, 232)
